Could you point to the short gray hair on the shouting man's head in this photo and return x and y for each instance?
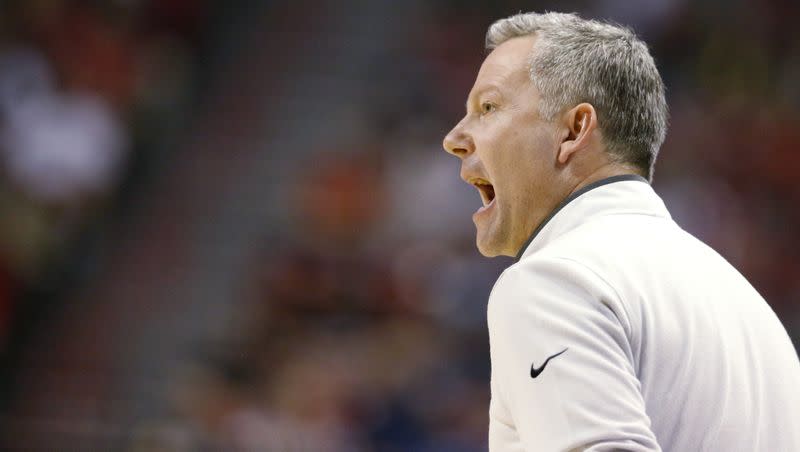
(578, 60)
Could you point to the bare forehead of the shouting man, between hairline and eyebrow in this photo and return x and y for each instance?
(507, 66)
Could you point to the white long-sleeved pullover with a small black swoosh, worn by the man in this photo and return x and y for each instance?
(668, 346)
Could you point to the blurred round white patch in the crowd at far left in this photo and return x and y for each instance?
(59, 148)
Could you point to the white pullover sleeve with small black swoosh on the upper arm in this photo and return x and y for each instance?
(562, 366)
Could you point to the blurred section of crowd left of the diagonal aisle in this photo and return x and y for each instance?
(87, 90)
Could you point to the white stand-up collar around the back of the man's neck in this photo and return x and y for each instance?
(627, 193)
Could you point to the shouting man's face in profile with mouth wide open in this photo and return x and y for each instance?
(507, 150)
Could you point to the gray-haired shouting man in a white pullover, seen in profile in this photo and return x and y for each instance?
(615, 329)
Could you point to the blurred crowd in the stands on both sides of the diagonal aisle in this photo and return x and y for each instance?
(361, 320)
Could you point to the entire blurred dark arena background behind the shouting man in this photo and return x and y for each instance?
(231, 225)
